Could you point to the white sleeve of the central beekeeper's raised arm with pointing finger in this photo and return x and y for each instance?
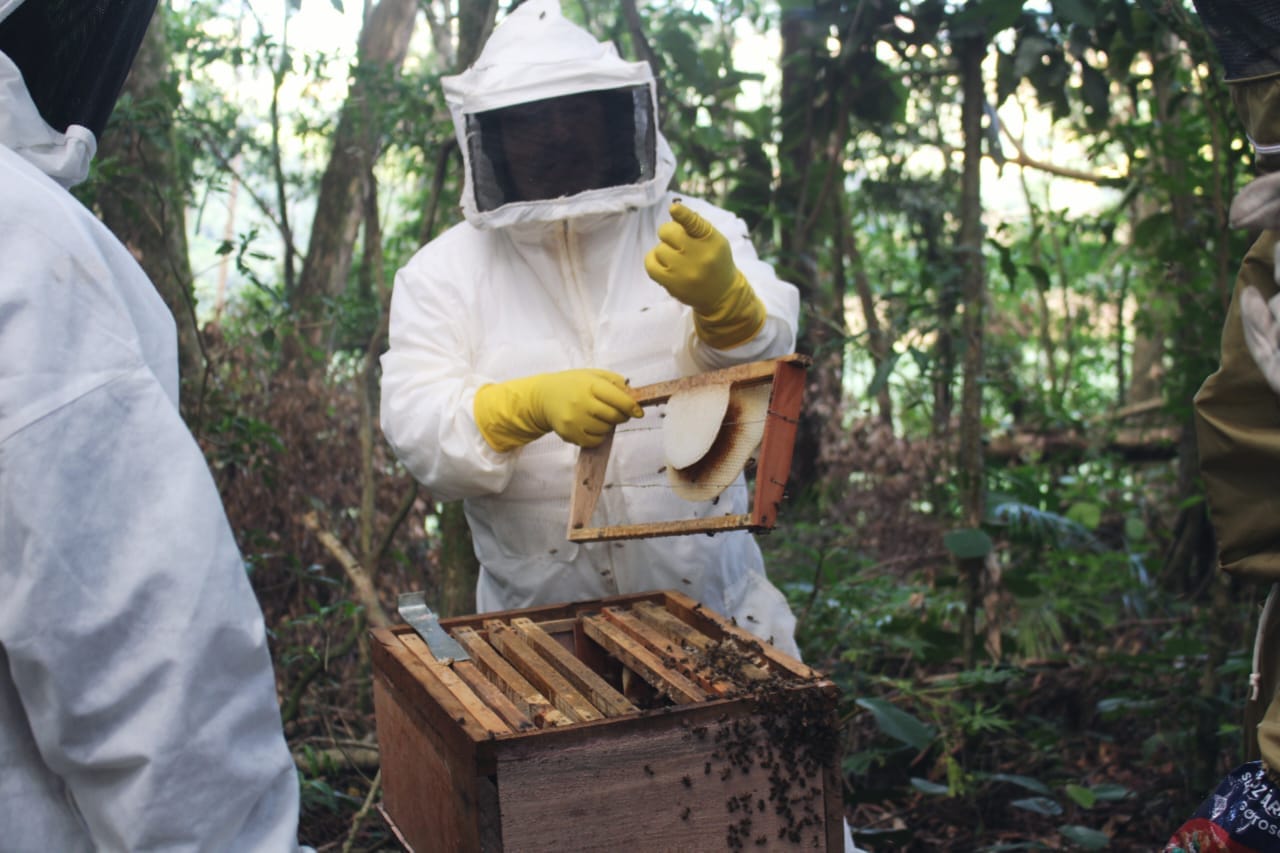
(781, 300)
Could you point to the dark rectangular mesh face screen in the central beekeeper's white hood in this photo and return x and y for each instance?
(561, 147)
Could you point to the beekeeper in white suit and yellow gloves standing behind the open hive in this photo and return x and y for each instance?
(514, 335)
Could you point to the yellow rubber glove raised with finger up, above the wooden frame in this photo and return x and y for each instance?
(696, 264)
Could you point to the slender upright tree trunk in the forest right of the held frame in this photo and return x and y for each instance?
(970, 54)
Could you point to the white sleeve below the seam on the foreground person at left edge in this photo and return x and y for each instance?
(135, 641)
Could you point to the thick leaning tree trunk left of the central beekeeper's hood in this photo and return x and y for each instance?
(356, 145)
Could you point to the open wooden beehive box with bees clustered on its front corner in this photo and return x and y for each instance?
(642, 723)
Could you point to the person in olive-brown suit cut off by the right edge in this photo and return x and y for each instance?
(1237, 417)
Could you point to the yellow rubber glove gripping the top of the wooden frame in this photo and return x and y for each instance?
(582, 407)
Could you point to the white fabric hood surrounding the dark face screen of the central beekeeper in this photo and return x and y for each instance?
(534, 56)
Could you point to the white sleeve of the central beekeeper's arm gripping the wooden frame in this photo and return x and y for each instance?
(429, 387)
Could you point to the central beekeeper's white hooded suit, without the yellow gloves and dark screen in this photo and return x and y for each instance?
(546, 286)
